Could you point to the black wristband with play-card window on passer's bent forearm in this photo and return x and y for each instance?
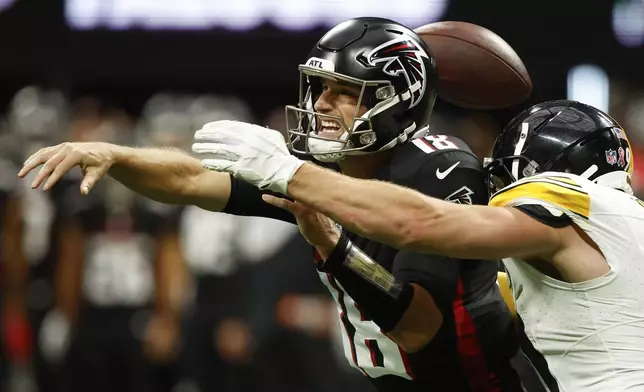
(380, 297)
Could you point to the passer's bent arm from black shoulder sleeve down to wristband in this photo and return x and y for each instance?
(406, 303)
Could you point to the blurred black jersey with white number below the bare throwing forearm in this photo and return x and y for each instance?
(120, 244)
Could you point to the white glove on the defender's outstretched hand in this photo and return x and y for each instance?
(250, 152)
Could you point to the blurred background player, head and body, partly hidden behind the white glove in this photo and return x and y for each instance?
(217, 340)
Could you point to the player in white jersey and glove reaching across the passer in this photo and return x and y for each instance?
(563, 218)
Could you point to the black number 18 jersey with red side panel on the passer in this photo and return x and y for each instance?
(474, 346)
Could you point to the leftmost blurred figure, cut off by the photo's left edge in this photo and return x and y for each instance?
(36, 118)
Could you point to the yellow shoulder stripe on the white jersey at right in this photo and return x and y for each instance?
(561, 194)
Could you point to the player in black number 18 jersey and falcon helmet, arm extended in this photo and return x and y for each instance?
(367, 92)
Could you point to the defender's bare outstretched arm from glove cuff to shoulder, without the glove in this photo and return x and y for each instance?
(409, 220)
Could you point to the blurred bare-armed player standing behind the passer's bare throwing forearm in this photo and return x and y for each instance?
(117, 318)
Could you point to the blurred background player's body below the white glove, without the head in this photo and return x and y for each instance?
(218, 339)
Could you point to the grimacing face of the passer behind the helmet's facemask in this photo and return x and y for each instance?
(337, 99)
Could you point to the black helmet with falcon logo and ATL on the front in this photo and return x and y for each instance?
(395, 73)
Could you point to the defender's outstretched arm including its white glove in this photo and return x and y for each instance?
(383, 212)
